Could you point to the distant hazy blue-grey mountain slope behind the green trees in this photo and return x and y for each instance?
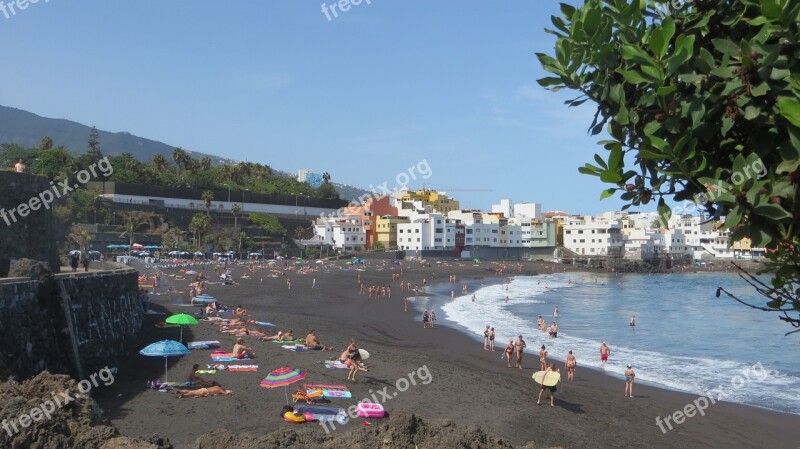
(27, 129)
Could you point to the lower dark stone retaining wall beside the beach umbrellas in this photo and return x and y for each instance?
(72, 324)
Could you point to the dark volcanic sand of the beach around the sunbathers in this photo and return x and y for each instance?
(469, 385)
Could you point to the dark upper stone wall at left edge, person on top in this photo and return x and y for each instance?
(31, 236)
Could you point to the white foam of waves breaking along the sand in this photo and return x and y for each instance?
(736, 381)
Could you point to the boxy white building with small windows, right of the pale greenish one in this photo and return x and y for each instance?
(590, 236)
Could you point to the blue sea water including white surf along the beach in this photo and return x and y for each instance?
(685, 338)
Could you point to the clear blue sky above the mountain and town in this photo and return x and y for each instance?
(363, 96)
